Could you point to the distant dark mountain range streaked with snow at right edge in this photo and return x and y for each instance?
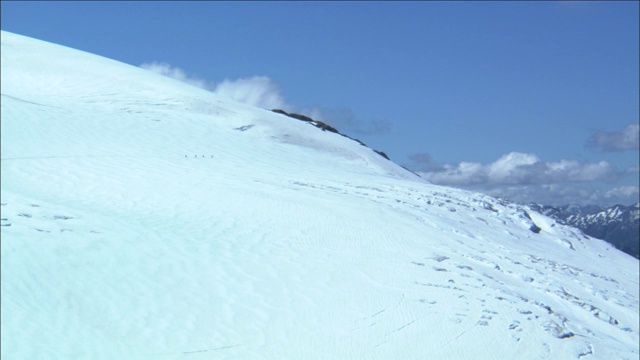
(617, 225)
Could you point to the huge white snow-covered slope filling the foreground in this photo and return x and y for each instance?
(143, 218)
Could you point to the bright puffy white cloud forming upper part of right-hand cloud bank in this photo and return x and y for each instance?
(520, 169)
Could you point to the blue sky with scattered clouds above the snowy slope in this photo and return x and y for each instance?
(530, 101)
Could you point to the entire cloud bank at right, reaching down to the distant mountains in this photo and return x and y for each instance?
(525, 178)
